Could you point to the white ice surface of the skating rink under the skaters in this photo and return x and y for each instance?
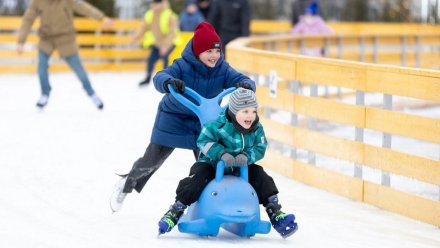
(58, 170)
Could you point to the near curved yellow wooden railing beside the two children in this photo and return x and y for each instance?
(298, 120)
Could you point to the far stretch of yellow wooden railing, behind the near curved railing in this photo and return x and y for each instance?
(421, 50)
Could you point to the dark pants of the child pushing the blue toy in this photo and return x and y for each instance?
(154, 156)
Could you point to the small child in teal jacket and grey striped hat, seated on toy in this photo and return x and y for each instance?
(237, 138)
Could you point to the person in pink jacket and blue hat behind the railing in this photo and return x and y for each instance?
(311, 24)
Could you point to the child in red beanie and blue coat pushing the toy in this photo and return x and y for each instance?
(201, 68)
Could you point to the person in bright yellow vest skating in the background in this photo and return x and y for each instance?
(160, 32)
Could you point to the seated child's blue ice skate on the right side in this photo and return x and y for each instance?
(283, 223)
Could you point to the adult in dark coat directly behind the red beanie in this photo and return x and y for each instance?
(230, 18)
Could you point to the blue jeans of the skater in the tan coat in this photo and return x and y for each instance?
(74, 63)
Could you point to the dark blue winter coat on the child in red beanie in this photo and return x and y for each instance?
(175, 125)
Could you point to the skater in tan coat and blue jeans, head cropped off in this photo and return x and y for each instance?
(56, 32)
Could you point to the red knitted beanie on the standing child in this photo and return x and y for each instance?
(205, 38)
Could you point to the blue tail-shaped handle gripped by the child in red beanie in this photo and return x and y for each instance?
(207, 109)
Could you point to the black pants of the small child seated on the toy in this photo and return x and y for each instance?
(190, 188)
